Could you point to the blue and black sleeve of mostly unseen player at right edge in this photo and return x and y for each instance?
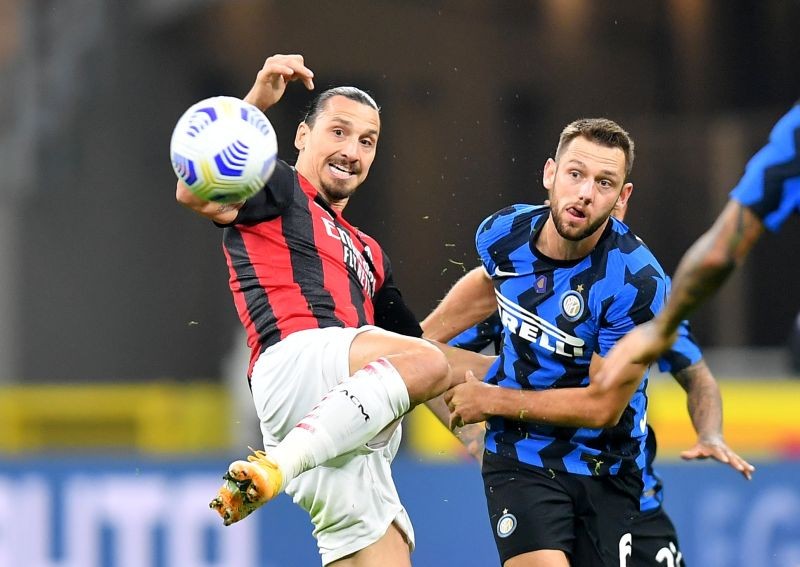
(770, 186)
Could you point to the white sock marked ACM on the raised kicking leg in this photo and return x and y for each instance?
(347, 417)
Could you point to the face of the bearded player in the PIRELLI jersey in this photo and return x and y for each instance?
(584, 185)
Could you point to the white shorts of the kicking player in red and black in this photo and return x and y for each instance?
(352, 499)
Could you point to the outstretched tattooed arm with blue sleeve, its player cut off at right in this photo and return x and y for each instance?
(765, 197)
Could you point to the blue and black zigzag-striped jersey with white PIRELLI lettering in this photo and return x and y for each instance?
(556, 315)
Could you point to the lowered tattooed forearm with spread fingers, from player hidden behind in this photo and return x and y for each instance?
(704, 404)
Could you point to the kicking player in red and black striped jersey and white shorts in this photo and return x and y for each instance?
(331, 371)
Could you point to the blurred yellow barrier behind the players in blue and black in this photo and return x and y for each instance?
(761, 419)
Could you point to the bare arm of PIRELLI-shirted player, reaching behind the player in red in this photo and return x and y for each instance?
(469, 301)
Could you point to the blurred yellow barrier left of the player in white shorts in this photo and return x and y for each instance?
(156, 418)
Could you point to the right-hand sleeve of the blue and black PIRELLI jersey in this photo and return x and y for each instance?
(641, 297)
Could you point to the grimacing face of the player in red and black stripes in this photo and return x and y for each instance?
(336, 154)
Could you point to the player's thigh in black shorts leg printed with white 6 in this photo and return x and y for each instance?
(606, 508)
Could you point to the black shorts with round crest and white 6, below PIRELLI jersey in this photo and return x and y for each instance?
(587, 517)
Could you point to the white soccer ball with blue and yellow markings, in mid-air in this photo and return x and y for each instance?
(224, 149)
